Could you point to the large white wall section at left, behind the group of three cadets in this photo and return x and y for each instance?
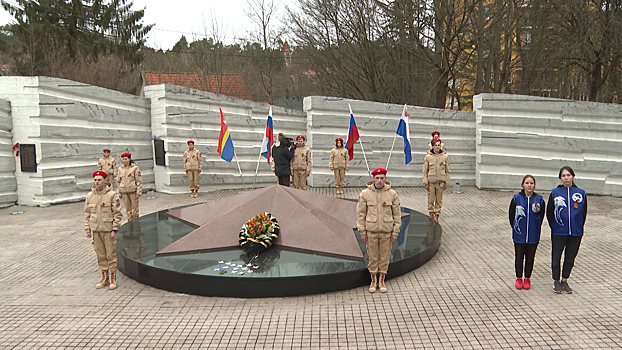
(70, 123)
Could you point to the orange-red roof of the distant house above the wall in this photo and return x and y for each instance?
(224, 84)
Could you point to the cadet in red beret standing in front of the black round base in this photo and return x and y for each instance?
(379, 221)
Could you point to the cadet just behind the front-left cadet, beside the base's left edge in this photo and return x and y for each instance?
(129, 185)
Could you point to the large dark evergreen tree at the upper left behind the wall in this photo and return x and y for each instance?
(47, 32)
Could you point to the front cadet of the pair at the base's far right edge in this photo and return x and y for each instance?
(435, 177)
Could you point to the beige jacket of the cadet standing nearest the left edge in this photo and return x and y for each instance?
(102, 210)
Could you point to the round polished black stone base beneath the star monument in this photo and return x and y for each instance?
(277, 272)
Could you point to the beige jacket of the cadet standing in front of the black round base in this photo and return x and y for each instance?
(378, 210)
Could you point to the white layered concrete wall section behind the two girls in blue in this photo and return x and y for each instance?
(518, 135)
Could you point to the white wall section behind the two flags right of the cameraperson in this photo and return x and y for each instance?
(329, 118)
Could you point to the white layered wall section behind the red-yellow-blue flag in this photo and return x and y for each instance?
(179, 114)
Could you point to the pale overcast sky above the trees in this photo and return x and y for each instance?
(192, 18)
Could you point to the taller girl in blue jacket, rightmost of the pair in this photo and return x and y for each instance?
(566, 215)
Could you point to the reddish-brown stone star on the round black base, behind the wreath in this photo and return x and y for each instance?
(311, 222)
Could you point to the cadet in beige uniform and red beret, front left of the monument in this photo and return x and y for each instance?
(103, 217)
